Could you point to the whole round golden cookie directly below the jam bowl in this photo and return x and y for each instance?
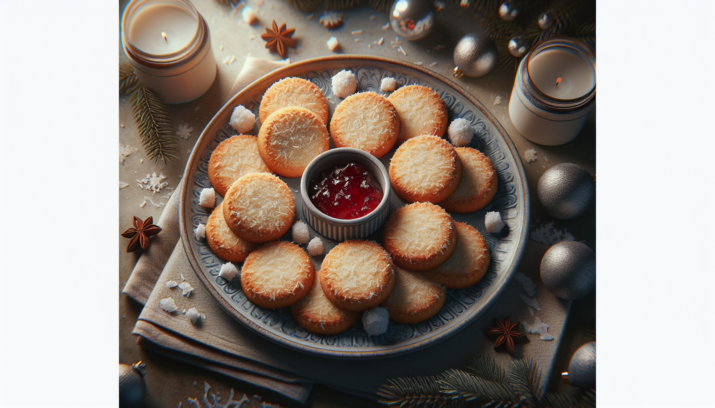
(357, 275)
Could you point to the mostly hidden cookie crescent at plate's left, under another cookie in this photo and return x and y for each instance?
(223, 242)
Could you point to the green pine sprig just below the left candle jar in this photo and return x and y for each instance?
(154, 123)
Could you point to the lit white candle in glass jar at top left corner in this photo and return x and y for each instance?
(167, 42)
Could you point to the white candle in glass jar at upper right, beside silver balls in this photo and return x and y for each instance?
(554, 91)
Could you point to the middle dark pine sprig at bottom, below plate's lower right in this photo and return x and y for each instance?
(460, 384)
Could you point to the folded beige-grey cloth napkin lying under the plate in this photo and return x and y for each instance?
(221, 344)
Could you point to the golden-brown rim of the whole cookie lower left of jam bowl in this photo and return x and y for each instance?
(283, 299)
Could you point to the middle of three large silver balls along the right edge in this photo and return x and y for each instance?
(568, 270)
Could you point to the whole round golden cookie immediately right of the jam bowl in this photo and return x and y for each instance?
(425, 168)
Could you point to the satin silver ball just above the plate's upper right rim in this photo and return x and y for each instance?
(475, 55)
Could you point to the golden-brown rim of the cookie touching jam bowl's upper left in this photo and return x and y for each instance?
(282, 166)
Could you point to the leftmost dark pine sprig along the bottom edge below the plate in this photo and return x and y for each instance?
(409, 392)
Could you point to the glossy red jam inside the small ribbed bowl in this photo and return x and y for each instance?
(346, 192)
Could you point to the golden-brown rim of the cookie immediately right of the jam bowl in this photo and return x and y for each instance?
(435, 195)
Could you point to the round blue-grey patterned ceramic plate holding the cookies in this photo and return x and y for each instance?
(462, 306)
